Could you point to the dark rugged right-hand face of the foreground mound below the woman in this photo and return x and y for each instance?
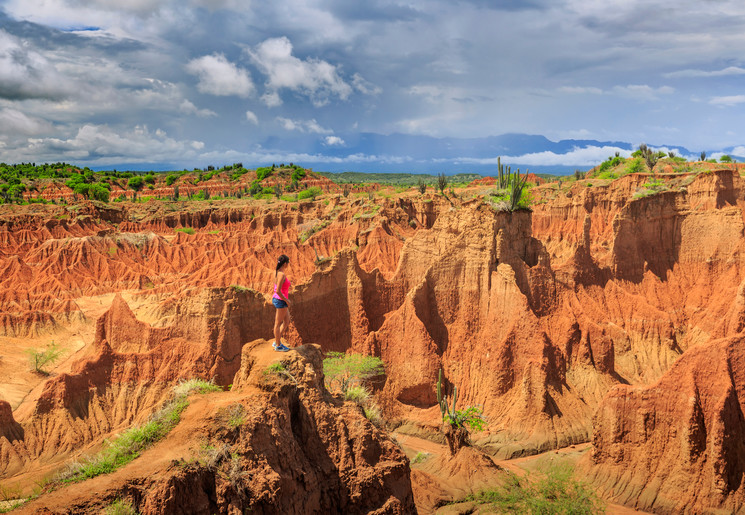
(302, 452)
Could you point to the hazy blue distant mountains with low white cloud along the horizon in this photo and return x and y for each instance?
(369, 152)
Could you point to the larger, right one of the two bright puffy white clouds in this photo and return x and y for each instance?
(314, 78)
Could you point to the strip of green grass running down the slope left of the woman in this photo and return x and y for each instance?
(130, 444)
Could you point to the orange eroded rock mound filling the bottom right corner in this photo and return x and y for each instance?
(677, 444)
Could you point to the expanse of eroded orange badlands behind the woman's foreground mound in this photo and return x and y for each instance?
(542, 318)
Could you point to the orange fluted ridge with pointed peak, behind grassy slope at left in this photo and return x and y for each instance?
(132, 370)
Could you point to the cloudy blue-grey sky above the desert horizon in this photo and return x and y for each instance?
(367, 86)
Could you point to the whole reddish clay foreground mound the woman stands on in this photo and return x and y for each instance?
(294, 449)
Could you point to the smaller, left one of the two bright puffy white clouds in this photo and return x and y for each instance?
(218, 76)
